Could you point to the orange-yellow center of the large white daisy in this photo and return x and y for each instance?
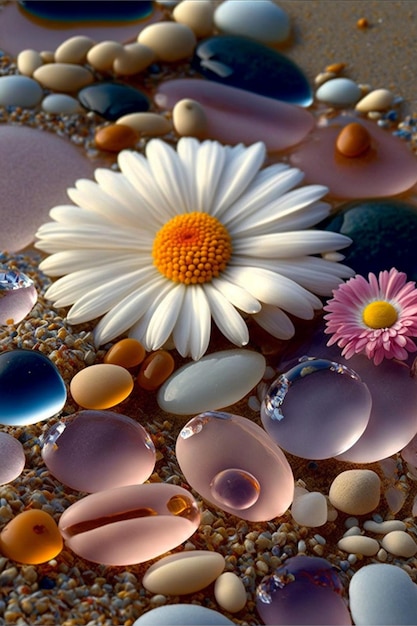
(192, 248)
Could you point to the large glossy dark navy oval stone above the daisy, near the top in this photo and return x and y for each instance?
(246, 64)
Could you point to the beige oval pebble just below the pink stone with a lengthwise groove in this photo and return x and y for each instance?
(183, 573)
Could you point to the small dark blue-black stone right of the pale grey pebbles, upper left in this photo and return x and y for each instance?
(112, 99)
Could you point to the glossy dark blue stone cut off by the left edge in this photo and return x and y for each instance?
(31, 388)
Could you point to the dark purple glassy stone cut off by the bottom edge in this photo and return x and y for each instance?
(304, 590)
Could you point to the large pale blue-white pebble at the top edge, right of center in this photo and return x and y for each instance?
(262, 20)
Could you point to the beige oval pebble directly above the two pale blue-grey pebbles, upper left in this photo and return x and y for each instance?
(65, 77)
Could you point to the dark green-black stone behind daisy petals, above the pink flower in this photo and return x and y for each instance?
(384, 235)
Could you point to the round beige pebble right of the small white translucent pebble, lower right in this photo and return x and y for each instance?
(356, 492)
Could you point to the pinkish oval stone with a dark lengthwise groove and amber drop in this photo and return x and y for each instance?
(131, 524)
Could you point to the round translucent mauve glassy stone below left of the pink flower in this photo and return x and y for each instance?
(316, 409)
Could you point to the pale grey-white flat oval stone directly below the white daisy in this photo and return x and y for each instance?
(232, 373)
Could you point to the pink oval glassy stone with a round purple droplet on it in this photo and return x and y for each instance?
(244, 472)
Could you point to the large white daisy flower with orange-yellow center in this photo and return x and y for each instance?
(180, 237)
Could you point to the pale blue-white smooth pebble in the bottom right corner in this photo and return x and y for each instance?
(382, 594)
